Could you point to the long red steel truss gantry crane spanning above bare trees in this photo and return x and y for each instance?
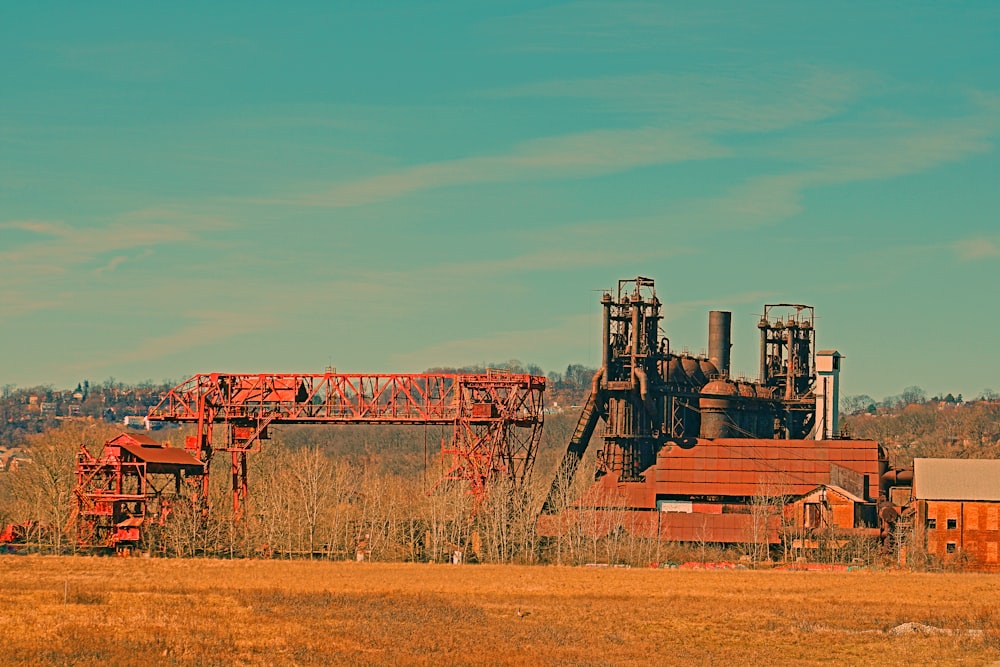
(496, 417)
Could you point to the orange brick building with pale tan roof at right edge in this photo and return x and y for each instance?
(956, 511)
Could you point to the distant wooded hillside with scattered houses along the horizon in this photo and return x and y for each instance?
(909, 424)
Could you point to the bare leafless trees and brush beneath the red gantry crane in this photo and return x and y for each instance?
(342, 493)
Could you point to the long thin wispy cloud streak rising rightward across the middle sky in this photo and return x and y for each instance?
(580, 155)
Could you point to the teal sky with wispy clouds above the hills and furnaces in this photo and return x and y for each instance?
(394, 186)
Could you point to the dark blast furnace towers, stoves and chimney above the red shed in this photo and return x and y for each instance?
(649, 397)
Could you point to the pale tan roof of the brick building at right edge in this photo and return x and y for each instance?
(956, 479)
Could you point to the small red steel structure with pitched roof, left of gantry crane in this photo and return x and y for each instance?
(132, 482)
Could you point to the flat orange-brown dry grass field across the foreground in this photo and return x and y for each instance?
(107, 611)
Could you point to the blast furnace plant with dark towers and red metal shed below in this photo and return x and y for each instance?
(689, 449)
